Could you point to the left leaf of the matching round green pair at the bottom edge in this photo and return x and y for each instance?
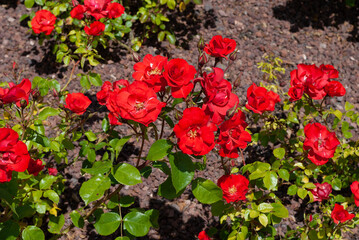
(108, 223)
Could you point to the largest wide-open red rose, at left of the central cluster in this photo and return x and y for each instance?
(136, 102)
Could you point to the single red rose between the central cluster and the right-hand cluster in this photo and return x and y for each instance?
(261, 100)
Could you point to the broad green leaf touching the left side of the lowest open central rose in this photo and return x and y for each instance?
(206, 191)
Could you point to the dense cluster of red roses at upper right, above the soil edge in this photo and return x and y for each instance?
(315, 82)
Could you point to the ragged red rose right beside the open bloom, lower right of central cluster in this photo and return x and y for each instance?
(233, 136)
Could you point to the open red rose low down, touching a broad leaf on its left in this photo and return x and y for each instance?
(234, 187)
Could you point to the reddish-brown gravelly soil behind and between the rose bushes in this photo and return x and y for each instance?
(298, 31)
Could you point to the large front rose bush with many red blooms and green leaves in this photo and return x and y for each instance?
(181, 113)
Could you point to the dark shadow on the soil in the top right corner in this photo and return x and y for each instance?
(319, 14)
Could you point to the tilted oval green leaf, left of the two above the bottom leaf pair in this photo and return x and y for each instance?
(94, 188)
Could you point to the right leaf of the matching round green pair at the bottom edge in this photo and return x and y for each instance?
(137, 223)
